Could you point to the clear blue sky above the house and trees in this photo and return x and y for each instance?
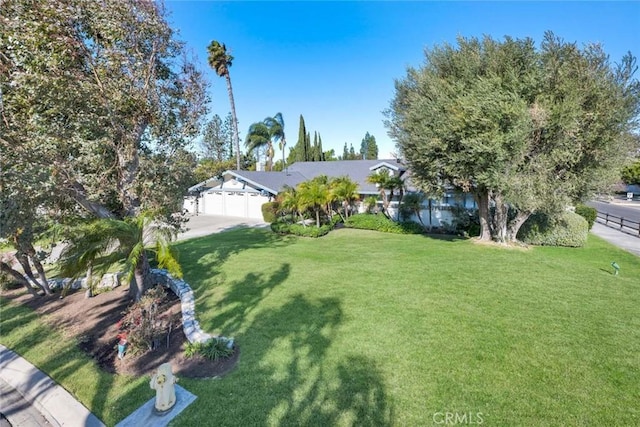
(335, 62)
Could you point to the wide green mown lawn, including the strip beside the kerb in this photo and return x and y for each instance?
(367, 328)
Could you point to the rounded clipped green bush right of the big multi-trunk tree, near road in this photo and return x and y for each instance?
(567, 229)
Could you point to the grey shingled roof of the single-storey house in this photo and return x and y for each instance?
(274, 182)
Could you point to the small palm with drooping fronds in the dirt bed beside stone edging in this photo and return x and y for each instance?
(104, 242)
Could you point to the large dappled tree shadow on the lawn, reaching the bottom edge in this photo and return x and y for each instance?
(287, 375)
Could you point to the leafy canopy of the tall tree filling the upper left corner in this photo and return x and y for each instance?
(91, 94)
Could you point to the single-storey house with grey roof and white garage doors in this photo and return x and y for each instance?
(242, 193)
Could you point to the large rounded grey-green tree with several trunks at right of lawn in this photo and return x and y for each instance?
(523, 129)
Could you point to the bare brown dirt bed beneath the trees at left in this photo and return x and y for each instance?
(92, 322)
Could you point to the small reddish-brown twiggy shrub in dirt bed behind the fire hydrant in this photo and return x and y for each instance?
(142, 324)
